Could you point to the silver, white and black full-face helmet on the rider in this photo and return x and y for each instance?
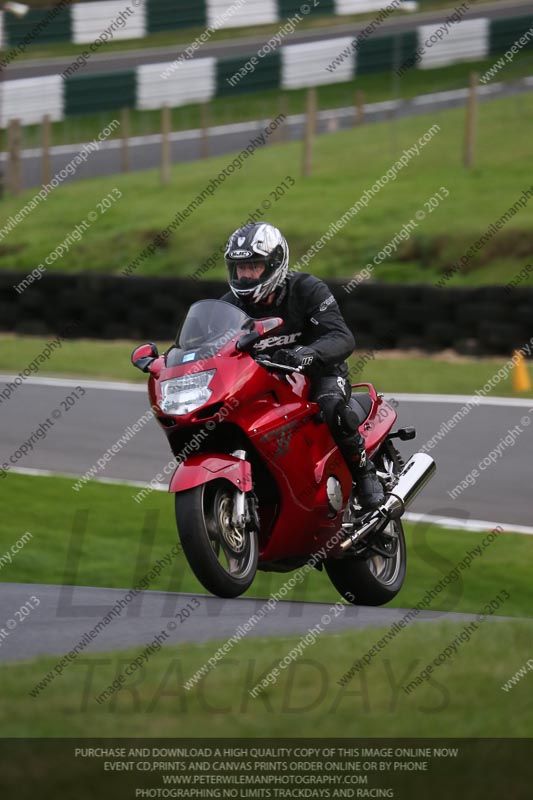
(257, 243)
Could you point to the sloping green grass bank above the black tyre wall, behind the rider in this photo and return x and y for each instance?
(477, 198)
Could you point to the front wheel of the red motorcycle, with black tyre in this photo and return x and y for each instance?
(223, 558)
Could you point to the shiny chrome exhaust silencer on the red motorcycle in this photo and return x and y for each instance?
(414, 476)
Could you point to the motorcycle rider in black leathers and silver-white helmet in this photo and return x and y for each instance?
(314, 336)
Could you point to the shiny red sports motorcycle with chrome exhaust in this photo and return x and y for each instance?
(260, 483)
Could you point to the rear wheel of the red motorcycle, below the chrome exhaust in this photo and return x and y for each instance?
(372, 579)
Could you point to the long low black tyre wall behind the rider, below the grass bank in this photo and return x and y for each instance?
(478, 321)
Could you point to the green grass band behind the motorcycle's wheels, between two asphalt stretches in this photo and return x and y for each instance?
(113, 536)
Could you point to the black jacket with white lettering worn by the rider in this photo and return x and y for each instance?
(311, 317)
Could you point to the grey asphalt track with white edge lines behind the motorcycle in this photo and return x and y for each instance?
(80, 436)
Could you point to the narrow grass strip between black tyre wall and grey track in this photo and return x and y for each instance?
(111, 360)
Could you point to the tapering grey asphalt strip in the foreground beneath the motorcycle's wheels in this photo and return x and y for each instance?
(61, 619)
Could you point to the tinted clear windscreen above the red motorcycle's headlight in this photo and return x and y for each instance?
(208, 326)
